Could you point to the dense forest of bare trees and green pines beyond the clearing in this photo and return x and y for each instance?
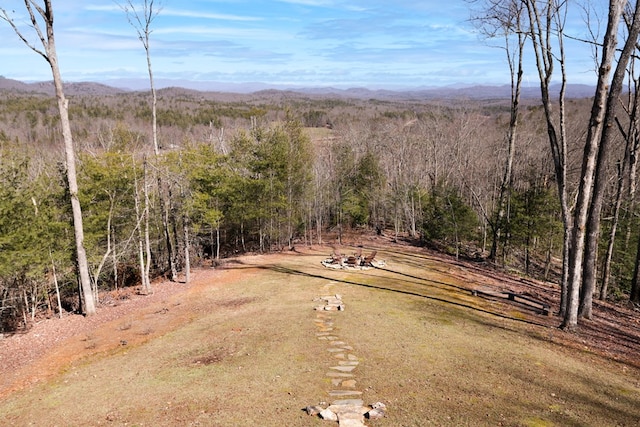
(265, 172)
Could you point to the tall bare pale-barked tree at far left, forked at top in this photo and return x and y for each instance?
(41, 22)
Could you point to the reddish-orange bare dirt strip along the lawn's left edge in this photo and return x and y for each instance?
(52, 344)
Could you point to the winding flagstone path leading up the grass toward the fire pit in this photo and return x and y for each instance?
(348, 410)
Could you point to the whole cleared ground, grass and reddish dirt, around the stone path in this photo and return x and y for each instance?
(439, 341)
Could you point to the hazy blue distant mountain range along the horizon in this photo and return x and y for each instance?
(112, 87)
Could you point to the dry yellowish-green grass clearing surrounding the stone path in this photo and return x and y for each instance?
(248, 356)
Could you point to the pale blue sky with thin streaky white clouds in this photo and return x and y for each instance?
(295, 43)
